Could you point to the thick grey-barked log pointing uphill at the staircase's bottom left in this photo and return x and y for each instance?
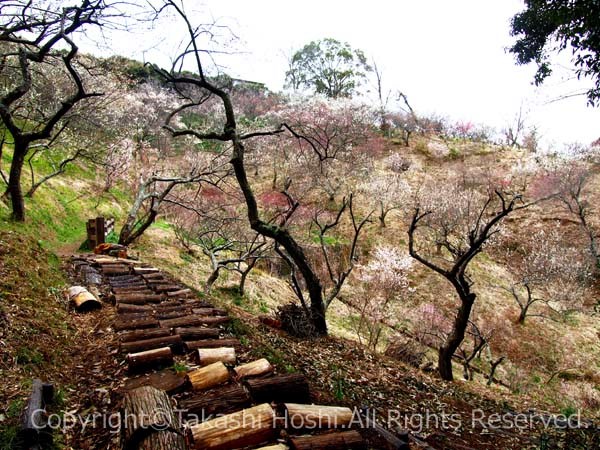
(149, 421)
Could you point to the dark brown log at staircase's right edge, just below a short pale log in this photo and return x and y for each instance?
(280, 389)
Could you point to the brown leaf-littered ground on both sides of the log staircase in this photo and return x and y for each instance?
(41, 337)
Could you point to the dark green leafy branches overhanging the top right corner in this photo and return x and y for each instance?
(547, 26)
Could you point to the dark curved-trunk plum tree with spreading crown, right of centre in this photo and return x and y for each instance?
(448, 229)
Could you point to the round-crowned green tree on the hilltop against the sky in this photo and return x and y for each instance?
(328, 67)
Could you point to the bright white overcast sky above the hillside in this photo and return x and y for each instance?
(449, 57)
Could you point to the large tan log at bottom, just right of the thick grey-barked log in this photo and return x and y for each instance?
(248, 427)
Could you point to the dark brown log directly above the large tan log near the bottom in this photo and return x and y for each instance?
(219, 401)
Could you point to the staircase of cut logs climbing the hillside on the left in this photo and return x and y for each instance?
(192, 385)
